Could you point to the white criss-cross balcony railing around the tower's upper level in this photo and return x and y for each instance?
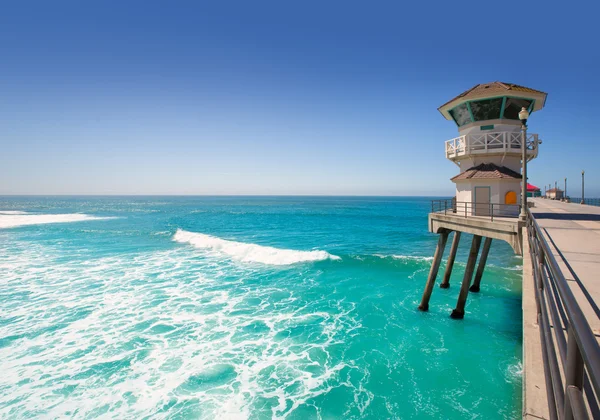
(502, 142)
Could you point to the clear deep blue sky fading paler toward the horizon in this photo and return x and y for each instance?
(252, 97)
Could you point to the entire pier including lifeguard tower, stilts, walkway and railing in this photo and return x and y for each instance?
(559, 242)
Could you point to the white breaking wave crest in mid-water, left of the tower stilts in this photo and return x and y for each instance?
(248, 252)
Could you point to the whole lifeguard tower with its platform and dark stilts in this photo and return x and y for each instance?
(491, 120)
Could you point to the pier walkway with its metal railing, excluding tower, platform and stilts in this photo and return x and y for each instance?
(561, 318)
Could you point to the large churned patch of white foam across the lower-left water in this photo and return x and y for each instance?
(90, 335)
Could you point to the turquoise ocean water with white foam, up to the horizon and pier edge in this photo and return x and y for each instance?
(246, 307)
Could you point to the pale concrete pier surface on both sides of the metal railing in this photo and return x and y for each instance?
(573, 233)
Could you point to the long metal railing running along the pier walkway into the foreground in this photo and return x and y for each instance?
(572, 376)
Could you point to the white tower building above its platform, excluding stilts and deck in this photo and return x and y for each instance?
(488, 148)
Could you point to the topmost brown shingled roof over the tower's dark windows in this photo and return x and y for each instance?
(495, 89)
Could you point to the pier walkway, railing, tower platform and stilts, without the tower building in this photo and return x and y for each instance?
(561, 295)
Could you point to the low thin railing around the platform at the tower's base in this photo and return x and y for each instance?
(471, 209)
